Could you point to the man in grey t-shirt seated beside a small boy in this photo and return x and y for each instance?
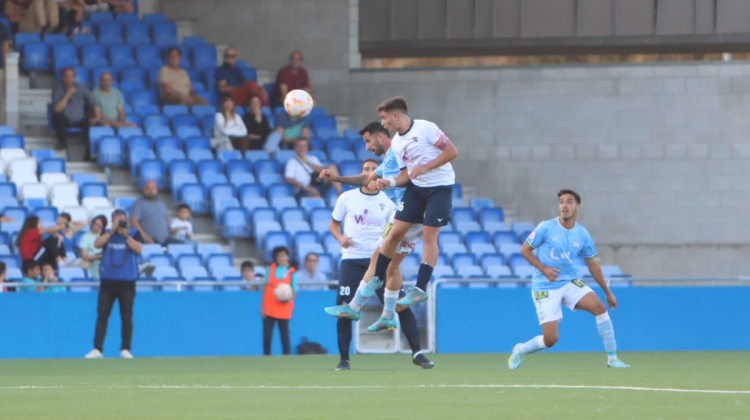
(149, 215)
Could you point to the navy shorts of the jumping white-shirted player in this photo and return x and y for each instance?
(430, 206)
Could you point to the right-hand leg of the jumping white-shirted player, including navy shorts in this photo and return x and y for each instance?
(438, 205)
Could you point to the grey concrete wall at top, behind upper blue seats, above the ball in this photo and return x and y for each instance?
(265, 32)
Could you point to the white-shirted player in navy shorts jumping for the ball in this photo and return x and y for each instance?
(423, 153)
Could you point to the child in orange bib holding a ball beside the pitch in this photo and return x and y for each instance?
(271, 309)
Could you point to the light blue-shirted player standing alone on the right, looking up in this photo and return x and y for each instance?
(558, 243)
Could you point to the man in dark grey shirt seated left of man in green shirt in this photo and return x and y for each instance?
(71, 103)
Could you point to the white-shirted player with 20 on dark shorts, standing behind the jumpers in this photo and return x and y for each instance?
(365, 212)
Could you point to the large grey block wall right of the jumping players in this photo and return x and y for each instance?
(658, 151)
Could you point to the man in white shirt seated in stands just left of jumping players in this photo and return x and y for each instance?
(302, 172)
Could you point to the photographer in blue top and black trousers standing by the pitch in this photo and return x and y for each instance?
(119, 270)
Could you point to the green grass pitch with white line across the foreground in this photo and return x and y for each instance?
(461, 387)
